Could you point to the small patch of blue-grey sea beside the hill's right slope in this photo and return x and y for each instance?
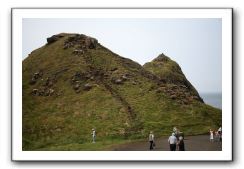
(212, 99)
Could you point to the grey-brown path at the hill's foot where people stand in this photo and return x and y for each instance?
(192, 143)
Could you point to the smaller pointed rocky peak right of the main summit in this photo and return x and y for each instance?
(173, 81)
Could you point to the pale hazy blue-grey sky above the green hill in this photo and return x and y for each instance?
(195, 44)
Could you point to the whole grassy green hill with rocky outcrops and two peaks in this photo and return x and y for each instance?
(73, 84)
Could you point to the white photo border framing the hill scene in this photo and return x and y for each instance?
(17, 14)
